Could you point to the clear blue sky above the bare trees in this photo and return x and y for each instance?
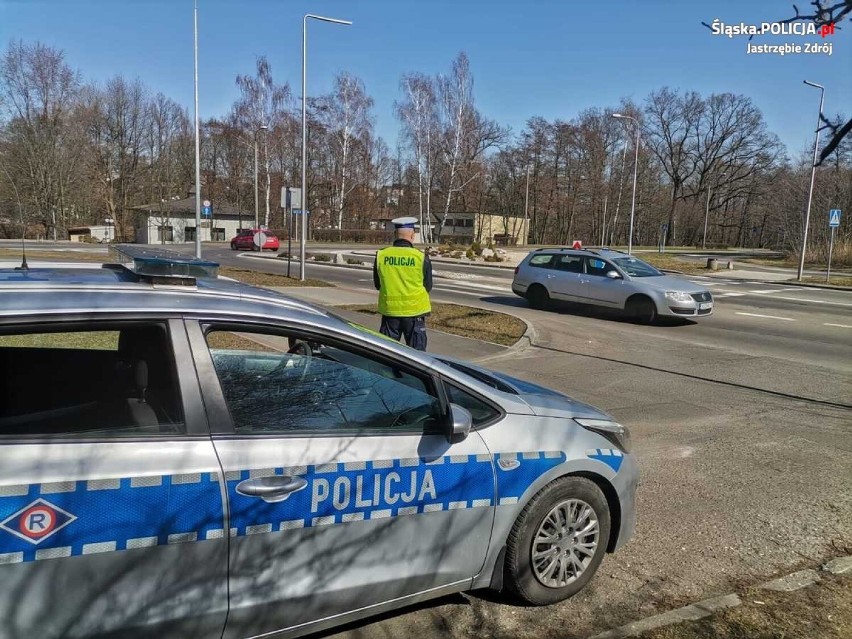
(547, 58)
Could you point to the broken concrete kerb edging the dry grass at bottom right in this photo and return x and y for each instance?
(693, 612)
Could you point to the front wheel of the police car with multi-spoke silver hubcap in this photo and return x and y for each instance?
(557, 542)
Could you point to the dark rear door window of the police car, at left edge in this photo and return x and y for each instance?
(96, 381)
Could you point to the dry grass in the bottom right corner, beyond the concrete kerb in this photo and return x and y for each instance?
(822, 610)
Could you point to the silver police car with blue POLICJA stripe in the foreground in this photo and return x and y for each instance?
(182, 455)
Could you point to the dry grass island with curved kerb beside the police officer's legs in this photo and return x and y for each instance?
(466, 321)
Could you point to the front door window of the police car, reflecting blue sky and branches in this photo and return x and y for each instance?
(275, 383)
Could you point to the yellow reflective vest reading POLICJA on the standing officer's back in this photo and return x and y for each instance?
(402, 293)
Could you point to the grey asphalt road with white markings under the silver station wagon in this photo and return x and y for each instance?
(742, 424)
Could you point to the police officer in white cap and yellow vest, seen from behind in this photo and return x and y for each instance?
(403, 276)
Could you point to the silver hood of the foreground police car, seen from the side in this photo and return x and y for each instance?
(542, 401)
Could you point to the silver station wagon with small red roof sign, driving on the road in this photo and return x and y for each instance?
(608, 278)
